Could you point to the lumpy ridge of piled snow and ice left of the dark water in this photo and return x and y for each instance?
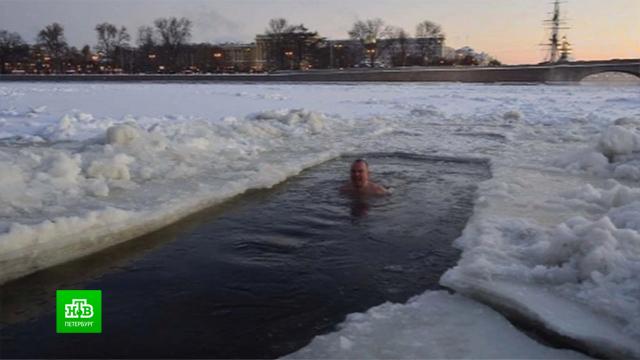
(89, 183)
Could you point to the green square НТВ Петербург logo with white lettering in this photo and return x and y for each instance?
(78, 311)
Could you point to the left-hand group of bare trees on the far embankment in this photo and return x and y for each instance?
(162, 43)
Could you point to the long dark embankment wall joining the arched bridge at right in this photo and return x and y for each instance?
(543, 73)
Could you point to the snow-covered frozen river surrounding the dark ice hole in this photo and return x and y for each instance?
(555, 235)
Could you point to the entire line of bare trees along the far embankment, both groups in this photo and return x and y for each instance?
(164, 47)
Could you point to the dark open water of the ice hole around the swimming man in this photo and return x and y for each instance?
(261, 275)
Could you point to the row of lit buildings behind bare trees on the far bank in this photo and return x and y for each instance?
(296, 50)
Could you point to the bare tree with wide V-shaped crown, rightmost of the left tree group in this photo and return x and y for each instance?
(173, 34)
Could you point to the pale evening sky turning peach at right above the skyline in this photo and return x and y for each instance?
(508, 29)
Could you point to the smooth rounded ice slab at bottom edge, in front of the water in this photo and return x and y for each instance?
(434, 325)
